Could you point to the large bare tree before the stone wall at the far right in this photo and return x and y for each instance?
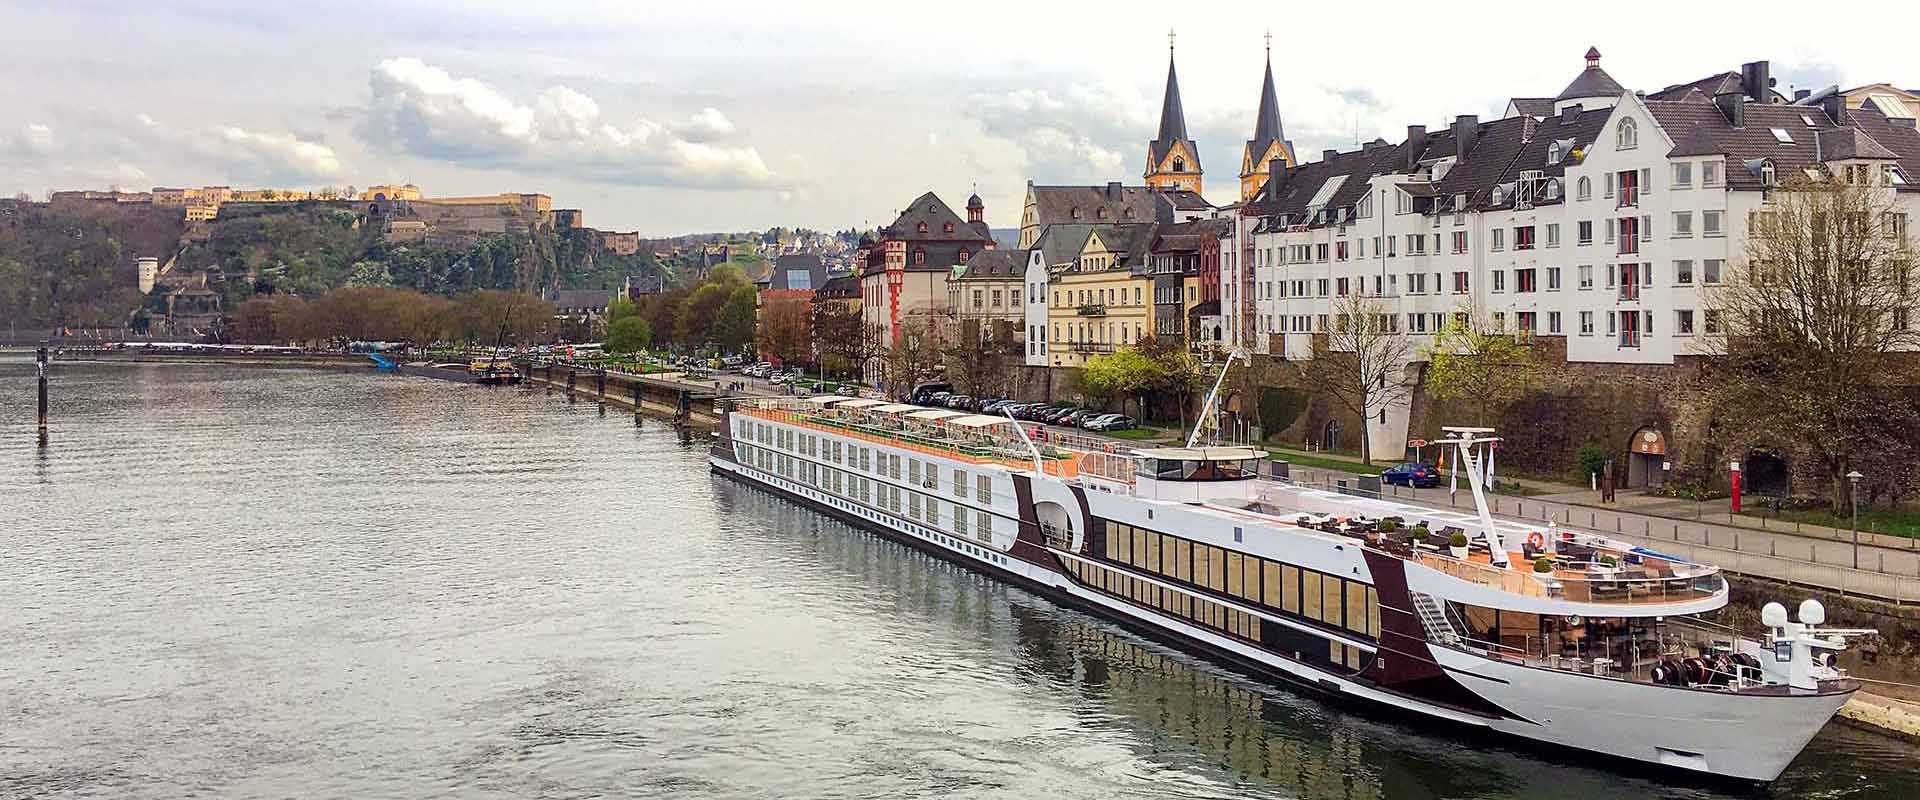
(1810, 327)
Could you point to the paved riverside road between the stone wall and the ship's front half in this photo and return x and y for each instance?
(1656, 530)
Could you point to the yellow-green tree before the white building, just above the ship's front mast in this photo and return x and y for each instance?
(1487, 369)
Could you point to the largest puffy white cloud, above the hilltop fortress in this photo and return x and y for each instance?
(427, 112)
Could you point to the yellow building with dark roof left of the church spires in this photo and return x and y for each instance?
(1103, 302)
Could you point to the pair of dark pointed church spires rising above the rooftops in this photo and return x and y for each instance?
(1174, 160)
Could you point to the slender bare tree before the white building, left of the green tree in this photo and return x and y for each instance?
(1362, 362)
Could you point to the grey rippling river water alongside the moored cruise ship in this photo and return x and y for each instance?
(245, 582)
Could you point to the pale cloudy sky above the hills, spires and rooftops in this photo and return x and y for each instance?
(727, 116)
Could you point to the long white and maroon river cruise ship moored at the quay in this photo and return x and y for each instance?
(1547, 634)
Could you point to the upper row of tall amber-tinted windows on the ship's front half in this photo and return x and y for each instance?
(1260, 582)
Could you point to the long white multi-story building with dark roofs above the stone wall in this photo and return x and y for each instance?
(1600, 220)
